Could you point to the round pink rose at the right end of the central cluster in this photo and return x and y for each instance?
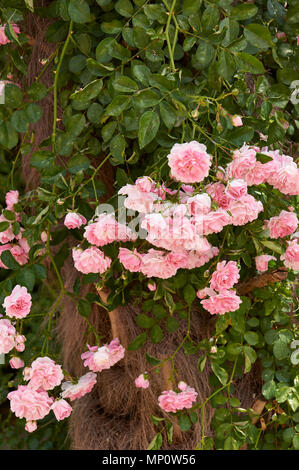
(244, 210)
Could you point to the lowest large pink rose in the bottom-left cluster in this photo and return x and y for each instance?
(30, 404)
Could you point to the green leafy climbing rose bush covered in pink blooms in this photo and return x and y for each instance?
(192, 105)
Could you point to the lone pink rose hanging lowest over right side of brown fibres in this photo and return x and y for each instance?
(171, 402)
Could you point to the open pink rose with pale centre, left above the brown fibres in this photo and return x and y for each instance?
(104, 357)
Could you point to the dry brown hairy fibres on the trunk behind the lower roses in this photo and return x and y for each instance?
(116, 415)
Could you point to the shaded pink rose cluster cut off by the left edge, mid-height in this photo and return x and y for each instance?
(20, 248)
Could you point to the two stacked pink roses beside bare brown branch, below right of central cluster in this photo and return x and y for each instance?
(222, 298)
